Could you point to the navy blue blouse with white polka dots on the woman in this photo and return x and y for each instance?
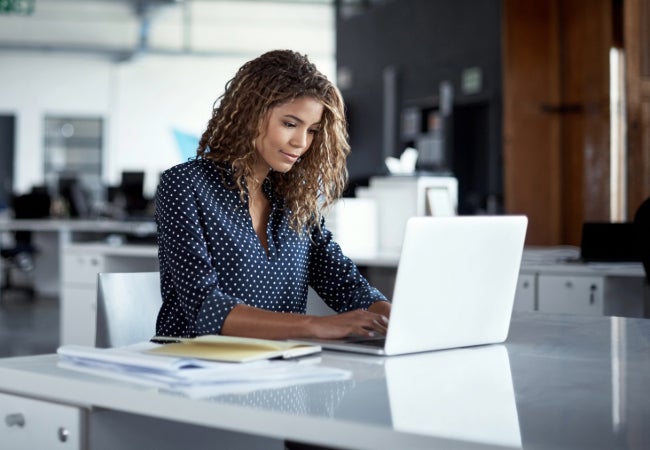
(211, 259)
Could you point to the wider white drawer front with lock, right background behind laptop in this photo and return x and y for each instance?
(571, 294)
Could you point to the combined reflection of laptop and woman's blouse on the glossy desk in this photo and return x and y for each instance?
(465, 394)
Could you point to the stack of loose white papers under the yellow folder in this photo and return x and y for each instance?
(190, 376)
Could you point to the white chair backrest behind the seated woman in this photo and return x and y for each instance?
(127, 307)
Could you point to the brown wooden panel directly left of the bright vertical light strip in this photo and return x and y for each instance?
(586, 39)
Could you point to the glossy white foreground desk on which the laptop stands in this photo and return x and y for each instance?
(567, 381)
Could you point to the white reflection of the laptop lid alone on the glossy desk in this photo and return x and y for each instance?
(463, 394)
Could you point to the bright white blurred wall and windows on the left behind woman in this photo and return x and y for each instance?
(100, 90)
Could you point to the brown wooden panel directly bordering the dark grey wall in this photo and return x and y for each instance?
(532, 178)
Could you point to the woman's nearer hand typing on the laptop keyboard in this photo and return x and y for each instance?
(352, 323)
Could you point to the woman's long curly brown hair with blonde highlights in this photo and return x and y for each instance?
(270, 80)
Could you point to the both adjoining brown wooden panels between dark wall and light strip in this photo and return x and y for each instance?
(556, 115)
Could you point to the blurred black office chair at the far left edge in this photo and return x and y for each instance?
(20, 255)
